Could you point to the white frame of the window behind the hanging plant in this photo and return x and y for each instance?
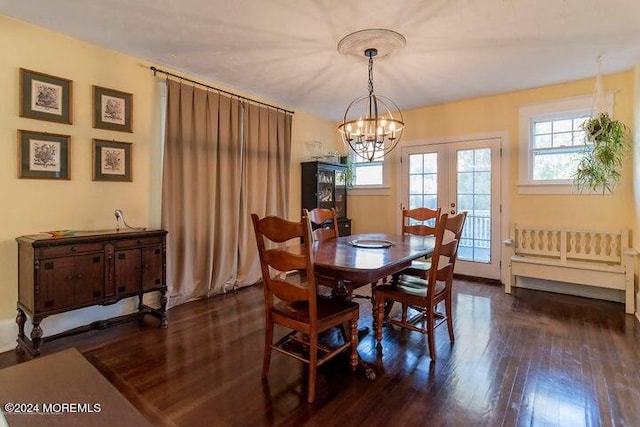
(553, 110)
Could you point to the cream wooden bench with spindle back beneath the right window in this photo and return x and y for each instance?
(601, 258)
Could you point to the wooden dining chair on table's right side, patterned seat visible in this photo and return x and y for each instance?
(427, 294)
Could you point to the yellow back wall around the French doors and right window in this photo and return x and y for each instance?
(499, 114)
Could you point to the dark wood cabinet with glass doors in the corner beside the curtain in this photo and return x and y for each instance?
(324, 185)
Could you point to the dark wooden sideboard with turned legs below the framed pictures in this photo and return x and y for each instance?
(85, 268)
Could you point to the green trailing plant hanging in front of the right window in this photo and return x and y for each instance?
(600, 167)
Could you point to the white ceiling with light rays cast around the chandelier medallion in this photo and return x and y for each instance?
(284, 51)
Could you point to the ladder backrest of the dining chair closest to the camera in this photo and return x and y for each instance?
(273, 234)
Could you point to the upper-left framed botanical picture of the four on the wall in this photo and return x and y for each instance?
(45, 97)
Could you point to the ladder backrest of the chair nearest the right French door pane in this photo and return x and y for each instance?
(448, 251)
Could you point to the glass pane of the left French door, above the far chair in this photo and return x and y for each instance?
(423, 180)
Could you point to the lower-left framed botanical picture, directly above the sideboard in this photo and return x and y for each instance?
(43, 155)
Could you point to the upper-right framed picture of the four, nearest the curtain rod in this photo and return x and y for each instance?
(112, 109)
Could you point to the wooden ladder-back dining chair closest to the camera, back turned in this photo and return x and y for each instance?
(294, 305)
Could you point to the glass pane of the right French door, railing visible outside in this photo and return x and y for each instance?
(474, 196)
